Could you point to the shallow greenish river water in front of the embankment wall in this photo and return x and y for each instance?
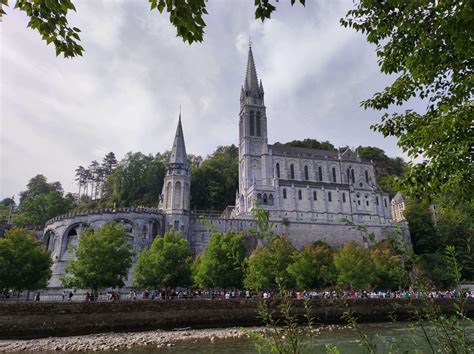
(389, 337)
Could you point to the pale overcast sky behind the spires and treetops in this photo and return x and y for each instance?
(124, 93)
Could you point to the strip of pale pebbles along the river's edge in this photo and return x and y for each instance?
(121, 341)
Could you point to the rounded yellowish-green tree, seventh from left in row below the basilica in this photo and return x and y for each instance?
(354, 267)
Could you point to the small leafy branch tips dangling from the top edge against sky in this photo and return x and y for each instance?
(50, 19)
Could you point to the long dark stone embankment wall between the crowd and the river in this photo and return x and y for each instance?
(34, 320)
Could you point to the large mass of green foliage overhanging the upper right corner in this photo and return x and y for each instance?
(428, 46)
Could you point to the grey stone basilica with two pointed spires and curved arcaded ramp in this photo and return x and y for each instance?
(310, 195)
